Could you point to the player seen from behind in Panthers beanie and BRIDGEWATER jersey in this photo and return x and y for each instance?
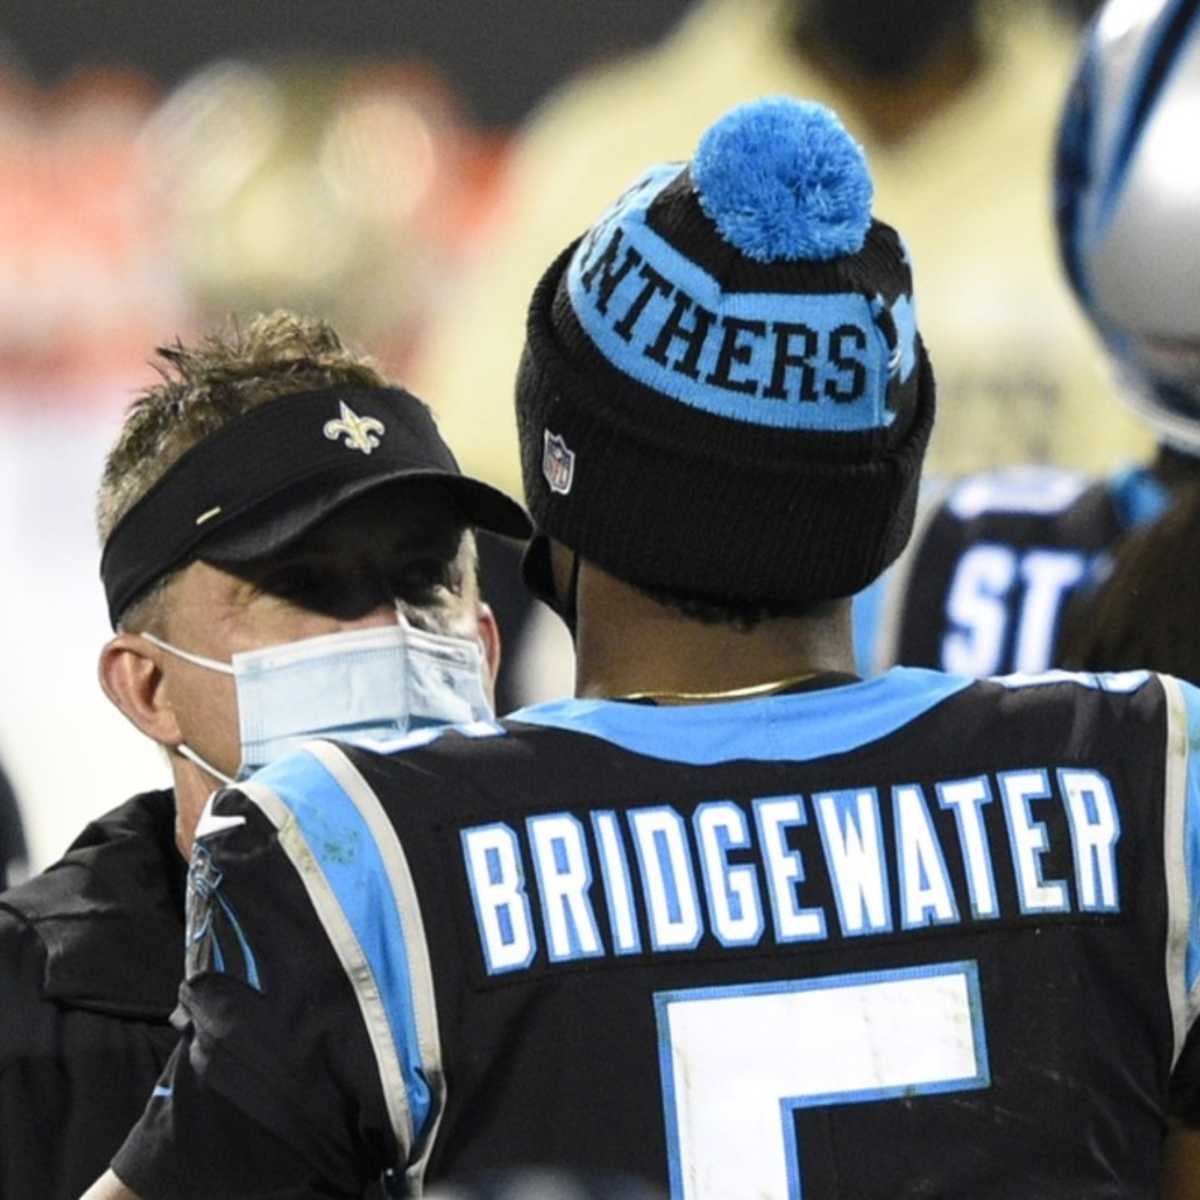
(733, 920)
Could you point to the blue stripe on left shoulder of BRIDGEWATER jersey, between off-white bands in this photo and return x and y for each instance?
(351, 862)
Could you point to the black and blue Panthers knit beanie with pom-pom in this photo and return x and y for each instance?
(723, 393)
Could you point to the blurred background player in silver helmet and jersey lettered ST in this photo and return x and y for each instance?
(986, 580)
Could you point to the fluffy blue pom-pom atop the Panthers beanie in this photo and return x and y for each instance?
(783, 179)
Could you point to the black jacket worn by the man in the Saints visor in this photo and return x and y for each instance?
(92, 956)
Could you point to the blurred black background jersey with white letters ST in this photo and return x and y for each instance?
(986, 579)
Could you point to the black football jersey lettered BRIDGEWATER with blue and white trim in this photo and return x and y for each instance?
(909, 938)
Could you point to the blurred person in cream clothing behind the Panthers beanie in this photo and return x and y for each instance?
(959, 157)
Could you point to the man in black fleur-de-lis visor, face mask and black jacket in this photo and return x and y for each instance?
(287, 553)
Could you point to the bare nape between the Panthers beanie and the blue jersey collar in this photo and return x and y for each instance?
(629, 645)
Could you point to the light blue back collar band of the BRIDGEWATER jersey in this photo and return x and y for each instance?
(773, 729)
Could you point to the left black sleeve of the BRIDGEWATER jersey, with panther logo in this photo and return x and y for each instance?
(275, 1063)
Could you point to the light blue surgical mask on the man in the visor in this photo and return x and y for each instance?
(363, 687)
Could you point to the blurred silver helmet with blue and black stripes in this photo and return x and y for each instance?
(1127, 183)
